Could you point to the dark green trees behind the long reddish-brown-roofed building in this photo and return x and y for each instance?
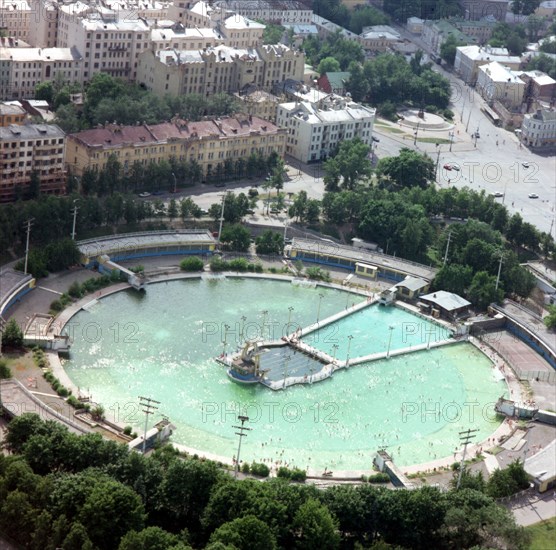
(110, 99)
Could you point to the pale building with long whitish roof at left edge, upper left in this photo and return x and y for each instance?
(26, 67)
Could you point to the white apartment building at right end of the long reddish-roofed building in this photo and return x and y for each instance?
(315, 130)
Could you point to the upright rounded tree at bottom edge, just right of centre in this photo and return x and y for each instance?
(315, 527)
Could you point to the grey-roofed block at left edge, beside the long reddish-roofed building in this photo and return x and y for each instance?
(31, 148)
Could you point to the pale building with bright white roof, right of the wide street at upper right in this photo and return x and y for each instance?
(496, 82)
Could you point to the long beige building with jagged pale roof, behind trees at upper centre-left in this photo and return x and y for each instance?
(219, 69)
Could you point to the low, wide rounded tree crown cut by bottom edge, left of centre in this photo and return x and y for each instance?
(246, 533)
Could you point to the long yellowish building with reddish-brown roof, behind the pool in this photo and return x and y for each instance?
(209, 143)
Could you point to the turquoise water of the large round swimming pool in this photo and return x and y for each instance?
(162, 345)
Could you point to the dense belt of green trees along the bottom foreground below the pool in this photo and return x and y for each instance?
(60, 490)
